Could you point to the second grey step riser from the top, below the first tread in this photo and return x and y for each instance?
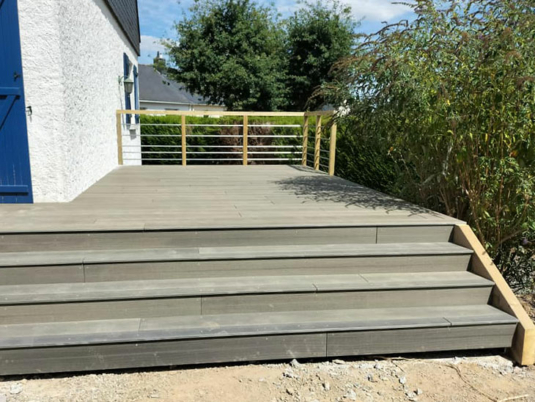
(219, 269)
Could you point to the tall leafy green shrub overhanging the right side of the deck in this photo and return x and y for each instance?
(451, 95)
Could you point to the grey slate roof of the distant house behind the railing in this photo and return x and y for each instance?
(156, 87)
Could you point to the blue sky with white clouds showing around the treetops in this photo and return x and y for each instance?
(157, 18)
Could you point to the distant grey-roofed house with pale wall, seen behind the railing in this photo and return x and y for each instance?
(158, 92)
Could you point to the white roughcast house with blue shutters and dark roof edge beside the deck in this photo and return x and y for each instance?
(66, 66)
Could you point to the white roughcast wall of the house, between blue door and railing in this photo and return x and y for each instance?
(72, 55)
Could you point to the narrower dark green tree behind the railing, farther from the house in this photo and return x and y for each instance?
(319, 35)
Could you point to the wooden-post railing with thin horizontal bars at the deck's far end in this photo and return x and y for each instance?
(139, 149)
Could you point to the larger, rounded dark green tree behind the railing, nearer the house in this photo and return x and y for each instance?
(231, 52)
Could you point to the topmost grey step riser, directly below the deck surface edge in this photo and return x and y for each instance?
(220, 238)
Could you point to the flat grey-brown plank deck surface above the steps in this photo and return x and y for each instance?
(202, 197)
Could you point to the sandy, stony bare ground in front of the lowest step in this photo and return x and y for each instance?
(443, 378)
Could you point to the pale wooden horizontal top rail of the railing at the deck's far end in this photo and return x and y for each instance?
(226, 113)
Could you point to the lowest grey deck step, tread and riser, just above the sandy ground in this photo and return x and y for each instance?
(98, 345)
